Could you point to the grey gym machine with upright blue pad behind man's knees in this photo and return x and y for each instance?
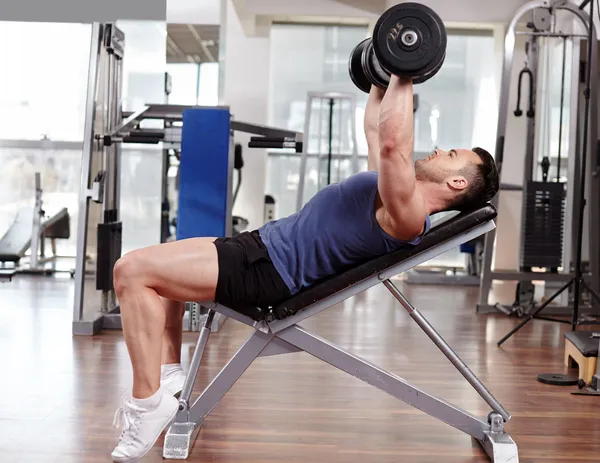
(206, 154)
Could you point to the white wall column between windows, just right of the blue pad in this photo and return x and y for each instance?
(244, 70)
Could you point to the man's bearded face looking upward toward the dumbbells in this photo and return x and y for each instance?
(443, 165)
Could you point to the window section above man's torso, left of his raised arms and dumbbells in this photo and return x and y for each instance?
(310, 58)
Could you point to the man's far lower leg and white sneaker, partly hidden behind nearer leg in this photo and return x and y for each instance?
(172, 376)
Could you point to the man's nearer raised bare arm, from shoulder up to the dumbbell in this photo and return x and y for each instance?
(403, 201)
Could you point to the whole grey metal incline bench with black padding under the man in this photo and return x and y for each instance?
(277, 332)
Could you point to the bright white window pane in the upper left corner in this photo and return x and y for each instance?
(42, 86)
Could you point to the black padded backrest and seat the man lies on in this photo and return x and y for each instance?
(461, 223)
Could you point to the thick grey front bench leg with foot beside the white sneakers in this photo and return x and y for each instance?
(183, 432)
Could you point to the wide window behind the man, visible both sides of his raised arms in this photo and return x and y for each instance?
(457, 108)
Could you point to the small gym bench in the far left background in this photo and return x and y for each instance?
(29, 232)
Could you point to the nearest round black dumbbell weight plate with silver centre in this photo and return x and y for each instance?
(409, 40)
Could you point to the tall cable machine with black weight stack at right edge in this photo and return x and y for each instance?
(550, 211)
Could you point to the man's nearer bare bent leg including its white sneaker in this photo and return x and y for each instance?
(184, 270)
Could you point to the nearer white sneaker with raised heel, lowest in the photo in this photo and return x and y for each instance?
(141, 428)
